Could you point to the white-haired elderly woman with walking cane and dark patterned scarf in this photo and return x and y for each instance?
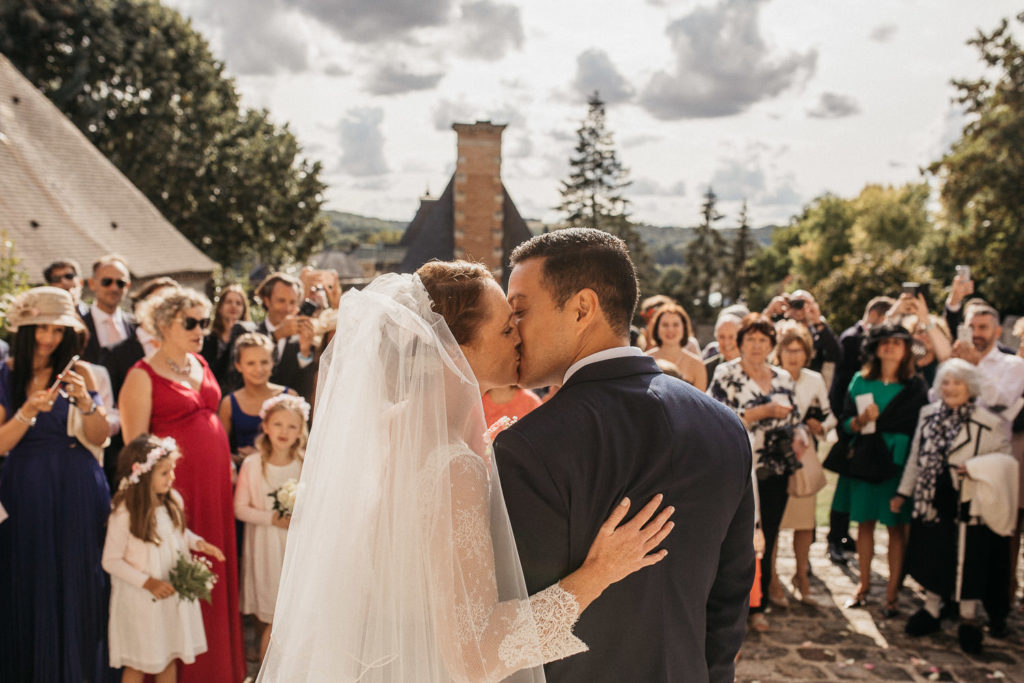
(951, 433)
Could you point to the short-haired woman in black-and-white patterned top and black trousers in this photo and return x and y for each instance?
(764, 398)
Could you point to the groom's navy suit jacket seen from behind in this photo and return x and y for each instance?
(618, 429)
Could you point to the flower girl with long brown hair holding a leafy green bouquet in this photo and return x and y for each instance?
(146, 536)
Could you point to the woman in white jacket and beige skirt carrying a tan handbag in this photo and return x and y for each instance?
(794, 353)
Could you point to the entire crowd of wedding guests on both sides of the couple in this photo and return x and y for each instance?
(142, 429)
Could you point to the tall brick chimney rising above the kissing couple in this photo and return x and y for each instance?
(479, 198)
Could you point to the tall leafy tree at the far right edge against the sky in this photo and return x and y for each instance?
(983, 221)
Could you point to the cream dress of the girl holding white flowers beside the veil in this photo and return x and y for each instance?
(264, 544)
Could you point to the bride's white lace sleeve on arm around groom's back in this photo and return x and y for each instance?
(489, 638)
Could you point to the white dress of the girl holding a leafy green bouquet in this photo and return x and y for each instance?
(144, 633)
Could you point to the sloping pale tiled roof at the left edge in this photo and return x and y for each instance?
(60, 197)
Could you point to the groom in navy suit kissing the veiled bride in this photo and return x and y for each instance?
(619, 428)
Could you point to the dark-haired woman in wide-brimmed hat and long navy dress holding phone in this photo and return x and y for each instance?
(53, 589)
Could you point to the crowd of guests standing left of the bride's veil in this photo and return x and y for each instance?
(137, 431)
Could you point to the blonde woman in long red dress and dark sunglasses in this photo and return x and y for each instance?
(176, 395)
